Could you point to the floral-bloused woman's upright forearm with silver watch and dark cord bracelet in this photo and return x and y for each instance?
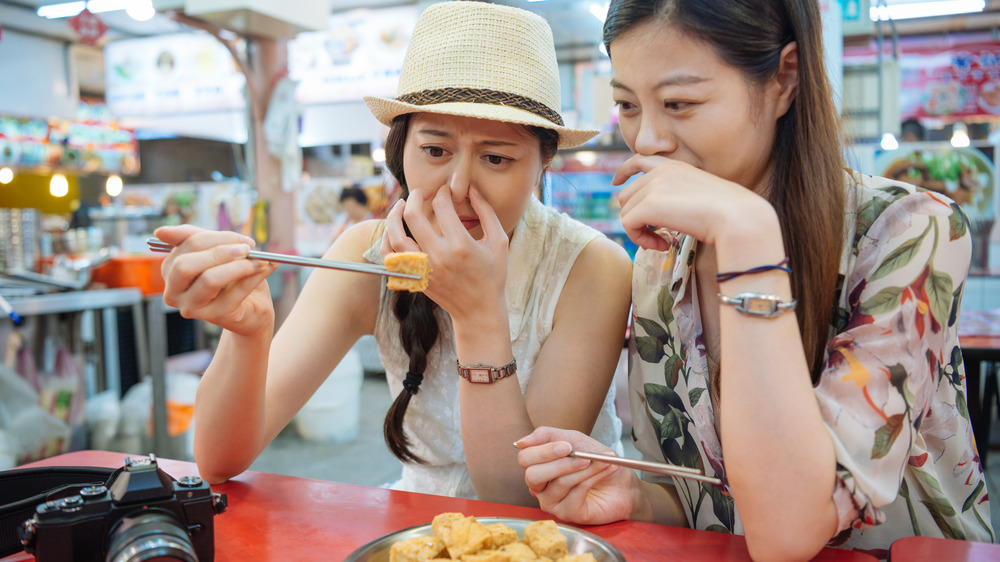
(778, 452)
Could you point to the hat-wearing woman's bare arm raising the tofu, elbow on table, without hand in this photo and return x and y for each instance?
(255, 386)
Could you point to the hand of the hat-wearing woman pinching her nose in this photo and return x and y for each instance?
(465, 272)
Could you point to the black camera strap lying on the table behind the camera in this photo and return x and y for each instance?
(22, 489)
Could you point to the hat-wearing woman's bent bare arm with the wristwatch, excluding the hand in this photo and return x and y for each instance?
(570, 379)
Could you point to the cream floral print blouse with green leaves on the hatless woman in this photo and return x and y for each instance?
(891, 390)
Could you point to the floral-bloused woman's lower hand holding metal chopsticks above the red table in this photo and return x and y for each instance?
(573, 489)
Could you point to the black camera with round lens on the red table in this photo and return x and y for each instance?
(140, 514)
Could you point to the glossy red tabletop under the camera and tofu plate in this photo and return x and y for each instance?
(274, 517)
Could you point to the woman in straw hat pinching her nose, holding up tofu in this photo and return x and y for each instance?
(512, 288)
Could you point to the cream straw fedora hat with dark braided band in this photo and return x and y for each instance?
(481, 60)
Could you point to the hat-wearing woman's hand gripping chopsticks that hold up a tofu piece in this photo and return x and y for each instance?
(207, 277)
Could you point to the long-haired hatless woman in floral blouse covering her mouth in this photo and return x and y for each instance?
(805, 315)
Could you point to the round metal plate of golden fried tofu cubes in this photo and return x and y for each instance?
(455, 536)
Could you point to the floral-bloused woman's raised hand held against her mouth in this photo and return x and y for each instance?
(679, 197)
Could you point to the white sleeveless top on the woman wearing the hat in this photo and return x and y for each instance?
(543, 248)
